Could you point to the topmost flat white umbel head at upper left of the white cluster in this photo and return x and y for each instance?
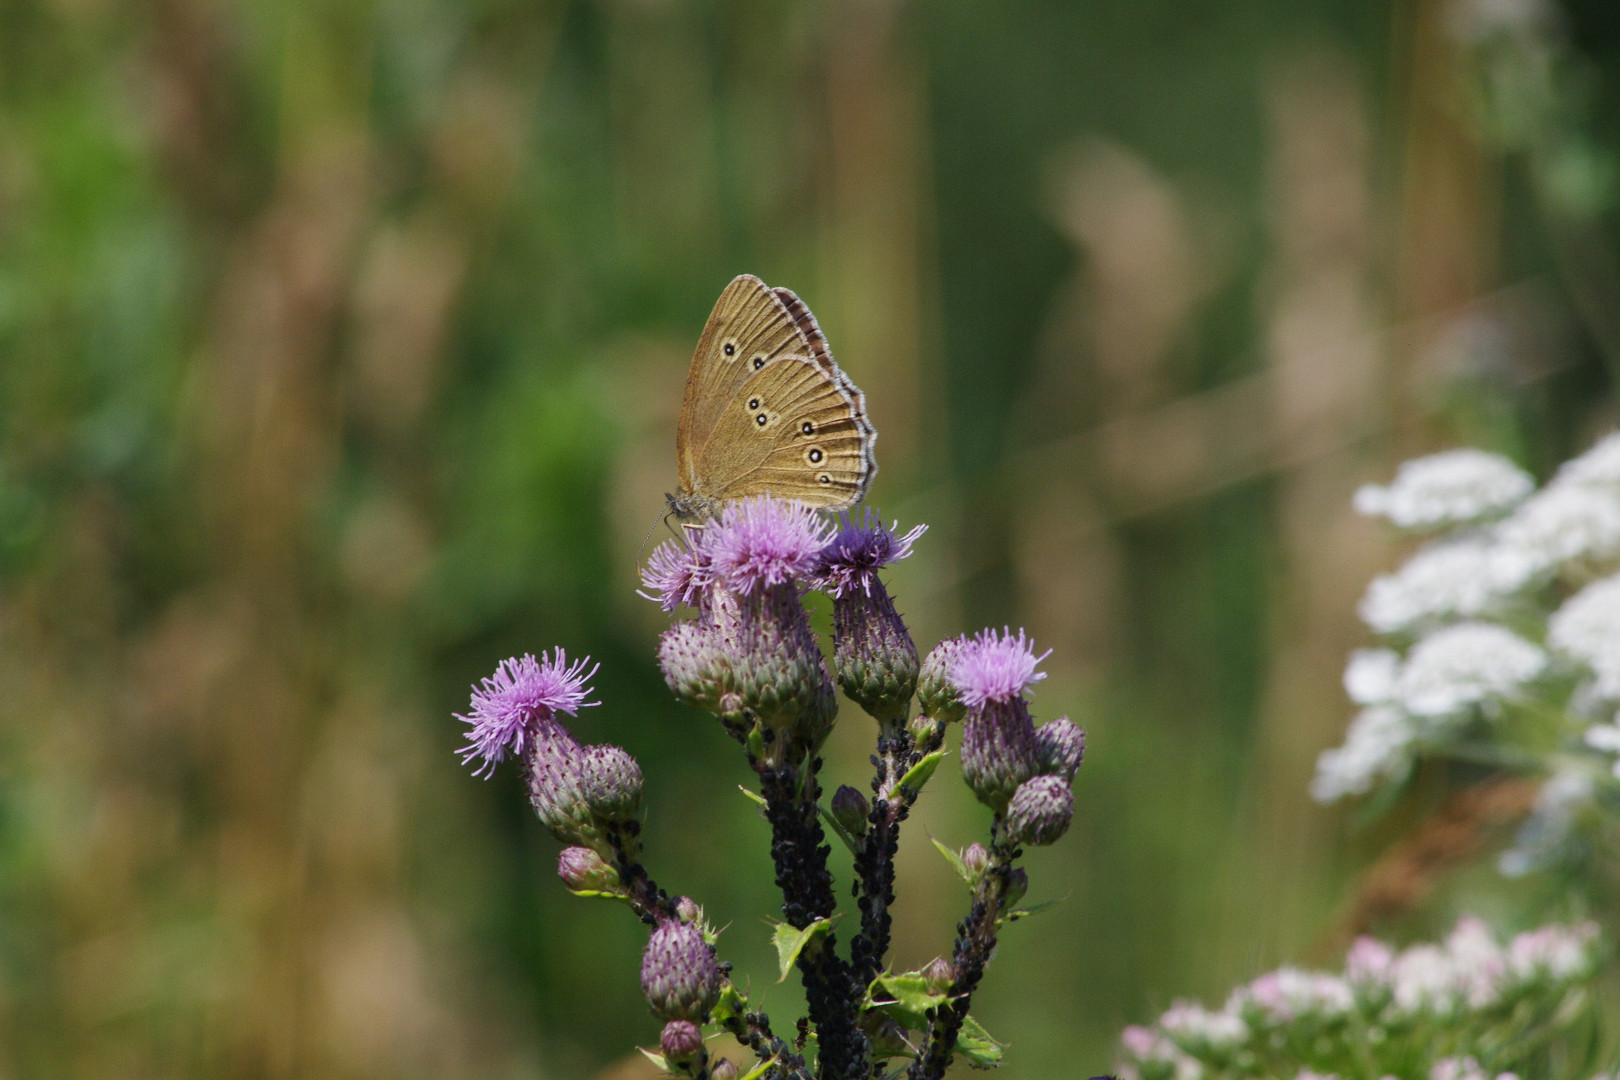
(1446, 490)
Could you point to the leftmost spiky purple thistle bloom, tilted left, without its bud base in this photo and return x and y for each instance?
(513, 705)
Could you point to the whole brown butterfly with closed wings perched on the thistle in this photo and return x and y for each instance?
(767, 410)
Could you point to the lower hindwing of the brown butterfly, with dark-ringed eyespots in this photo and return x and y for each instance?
(796, 430)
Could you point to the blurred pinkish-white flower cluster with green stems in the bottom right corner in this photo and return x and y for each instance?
(1307, 1024)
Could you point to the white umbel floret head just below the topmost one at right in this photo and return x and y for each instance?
(1454, 580)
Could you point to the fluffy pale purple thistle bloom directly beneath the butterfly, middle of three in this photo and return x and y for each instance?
(761, 543)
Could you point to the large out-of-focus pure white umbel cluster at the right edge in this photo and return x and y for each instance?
(1469, 616)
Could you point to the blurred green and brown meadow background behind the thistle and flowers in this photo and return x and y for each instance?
(341, 346)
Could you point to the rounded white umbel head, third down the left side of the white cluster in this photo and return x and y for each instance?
(1465, 666)
